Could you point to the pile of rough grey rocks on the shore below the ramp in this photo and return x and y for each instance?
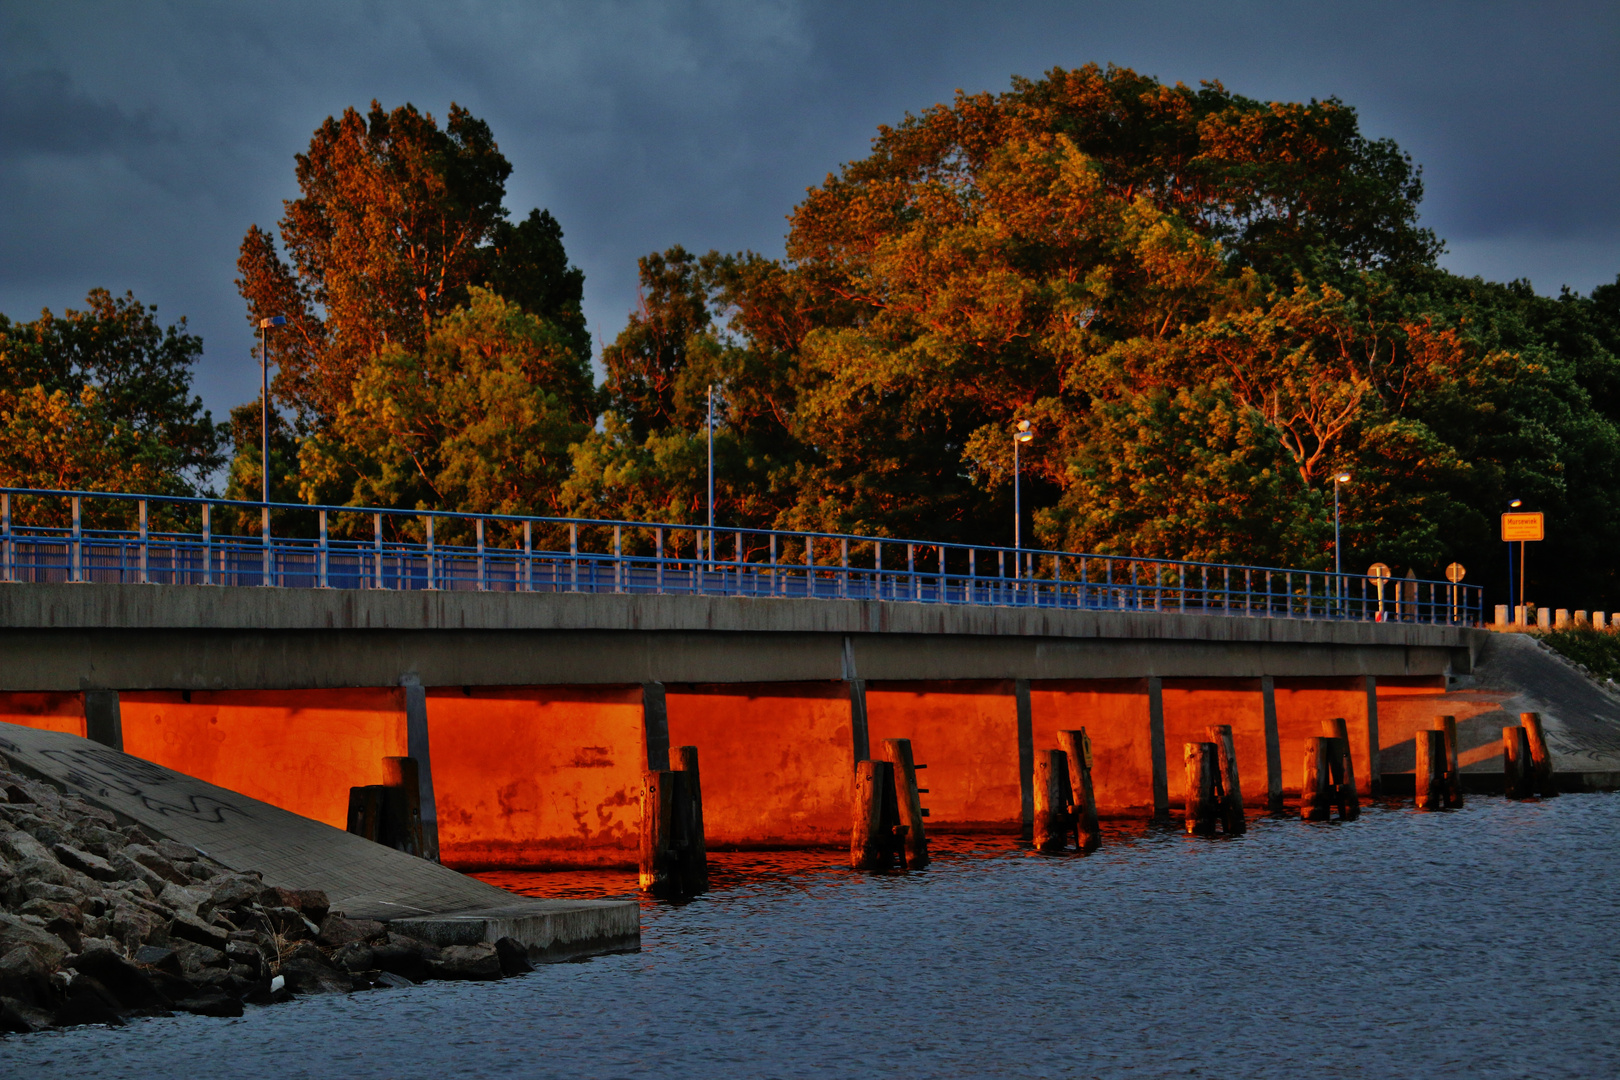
(103, 922)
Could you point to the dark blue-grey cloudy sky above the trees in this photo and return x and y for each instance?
(140, 142)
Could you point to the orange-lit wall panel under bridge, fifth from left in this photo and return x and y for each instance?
(966, 733)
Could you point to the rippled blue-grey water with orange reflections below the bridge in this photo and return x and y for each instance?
(1477, 943)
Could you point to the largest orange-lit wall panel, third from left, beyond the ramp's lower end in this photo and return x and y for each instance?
(537, 776)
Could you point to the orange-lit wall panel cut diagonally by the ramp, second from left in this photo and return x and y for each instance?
(301, 750)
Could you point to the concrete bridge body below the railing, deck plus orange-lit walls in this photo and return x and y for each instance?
(534, 715)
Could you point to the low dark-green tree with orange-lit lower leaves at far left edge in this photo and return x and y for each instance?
(101, 401)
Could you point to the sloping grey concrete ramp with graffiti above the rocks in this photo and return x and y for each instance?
(362, 880)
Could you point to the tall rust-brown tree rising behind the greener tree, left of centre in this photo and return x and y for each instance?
(398, 221)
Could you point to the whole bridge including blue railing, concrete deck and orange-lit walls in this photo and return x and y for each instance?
(535, 668)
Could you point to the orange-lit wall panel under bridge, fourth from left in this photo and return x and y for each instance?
(777, 760)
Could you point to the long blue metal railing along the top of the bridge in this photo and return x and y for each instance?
(354, 548)
